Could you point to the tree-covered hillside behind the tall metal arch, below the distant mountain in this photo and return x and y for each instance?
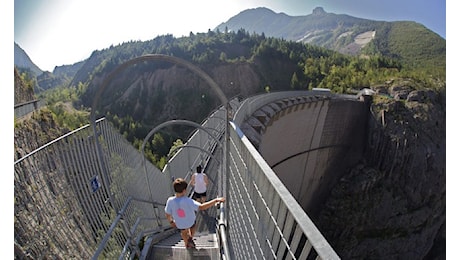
(242, 64)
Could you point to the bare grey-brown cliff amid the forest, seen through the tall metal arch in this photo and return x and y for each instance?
(156, 96)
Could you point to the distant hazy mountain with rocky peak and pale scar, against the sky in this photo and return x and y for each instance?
(409, 41)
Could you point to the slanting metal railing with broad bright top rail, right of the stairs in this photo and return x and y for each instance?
(265, 221)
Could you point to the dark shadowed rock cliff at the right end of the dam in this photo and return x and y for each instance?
(393, 204)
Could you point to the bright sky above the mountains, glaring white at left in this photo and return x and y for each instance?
(63, 32)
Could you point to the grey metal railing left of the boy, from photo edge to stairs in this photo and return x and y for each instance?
(62, 207)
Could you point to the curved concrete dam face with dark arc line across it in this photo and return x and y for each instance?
(310, 142)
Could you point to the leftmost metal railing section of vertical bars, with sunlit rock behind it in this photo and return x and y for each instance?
(56, 212)
